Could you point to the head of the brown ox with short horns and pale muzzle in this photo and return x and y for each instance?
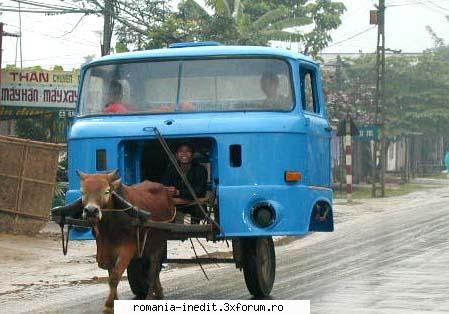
(97, 193)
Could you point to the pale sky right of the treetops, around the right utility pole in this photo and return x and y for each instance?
(405, 26)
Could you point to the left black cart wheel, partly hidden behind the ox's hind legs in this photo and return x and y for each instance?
(137, 274)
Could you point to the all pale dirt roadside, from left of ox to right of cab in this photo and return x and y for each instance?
(34, 268)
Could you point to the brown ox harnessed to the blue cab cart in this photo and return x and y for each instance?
(115, 233)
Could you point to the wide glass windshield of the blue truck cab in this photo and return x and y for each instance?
(187, 85)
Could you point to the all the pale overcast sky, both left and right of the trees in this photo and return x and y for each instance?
(67, 39)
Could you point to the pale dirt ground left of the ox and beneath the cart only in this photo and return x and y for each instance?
(34, 267)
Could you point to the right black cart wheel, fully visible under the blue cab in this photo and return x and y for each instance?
(259, 265)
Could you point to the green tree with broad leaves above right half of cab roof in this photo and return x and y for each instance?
(258, 22)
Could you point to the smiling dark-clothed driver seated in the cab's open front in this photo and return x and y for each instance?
(197, 176)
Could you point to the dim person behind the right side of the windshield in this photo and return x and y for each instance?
(269, 83)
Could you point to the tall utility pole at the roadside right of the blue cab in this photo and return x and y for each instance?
(379, 145)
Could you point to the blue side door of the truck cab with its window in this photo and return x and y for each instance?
(317, 126)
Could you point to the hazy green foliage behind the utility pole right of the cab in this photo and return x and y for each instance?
(416, 92)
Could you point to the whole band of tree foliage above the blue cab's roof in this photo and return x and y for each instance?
(145, 24)
